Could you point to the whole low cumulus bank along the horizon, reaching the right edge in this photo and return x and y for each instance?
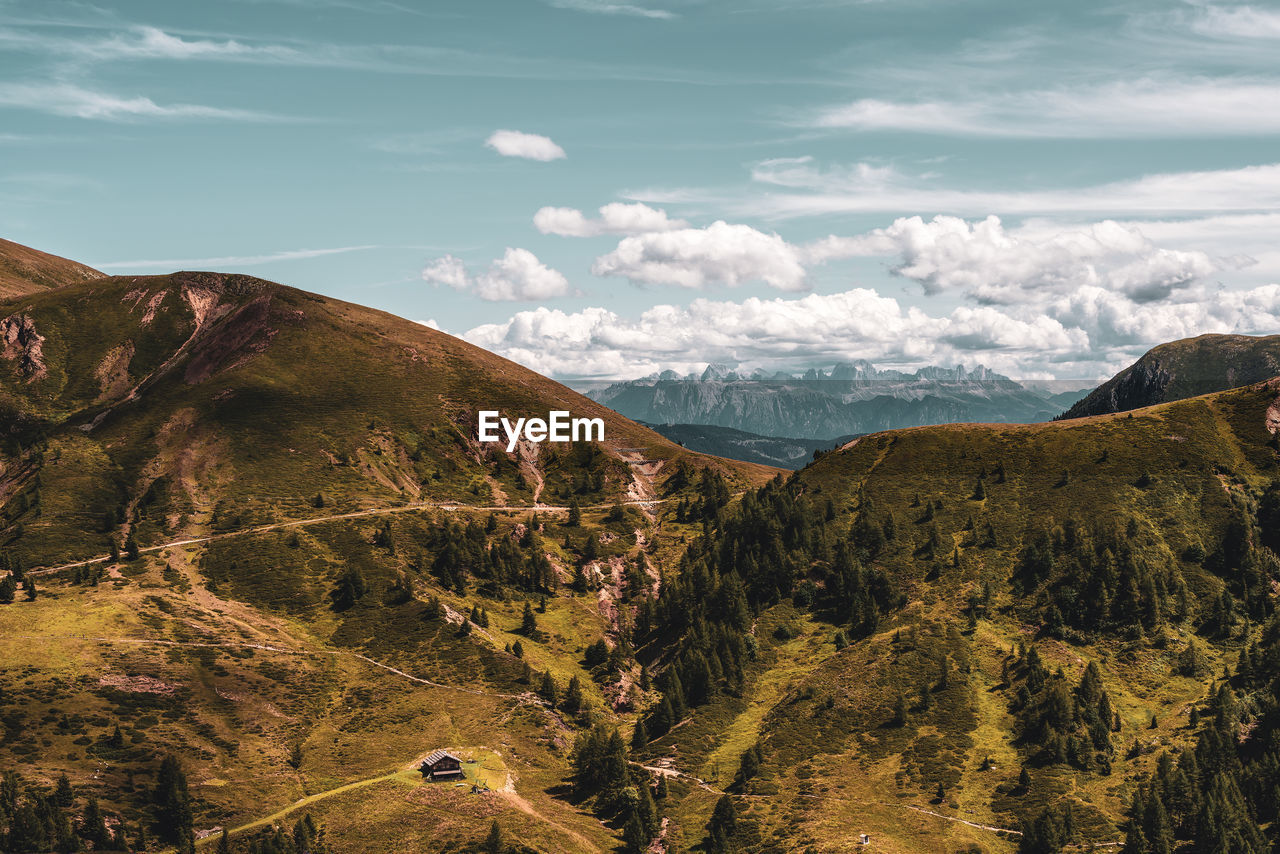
(1090, 331)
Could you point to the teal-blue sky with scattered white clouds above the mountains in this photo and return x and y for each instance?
(609, 189)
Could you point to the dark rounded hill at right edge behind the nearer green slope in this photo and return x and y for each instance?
(1183, 369)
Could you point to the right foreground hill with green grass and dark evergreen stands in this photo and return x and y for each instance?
(1077, 587)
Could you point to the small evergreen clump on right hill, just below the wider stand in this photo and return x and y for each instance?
(1067, 724)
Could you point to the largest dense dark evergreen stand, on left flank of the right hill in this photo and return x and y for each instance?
(778, 542)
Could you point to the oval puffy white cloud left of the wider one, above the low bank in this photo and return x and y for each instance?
(698, 258)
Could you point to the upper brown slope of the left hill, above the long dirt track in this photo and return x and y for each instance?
(199, 401)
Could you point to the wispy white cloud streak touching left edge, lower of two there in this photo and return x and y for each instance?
(71, 101)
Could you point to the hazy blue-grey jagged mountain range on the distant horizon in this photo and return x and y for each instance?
(849, 400)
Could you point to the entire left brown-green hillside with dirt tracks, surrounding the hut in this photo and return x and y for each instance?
(289, 524)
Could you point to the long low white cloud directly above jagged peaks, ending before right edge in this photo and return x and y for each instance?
(815, 328)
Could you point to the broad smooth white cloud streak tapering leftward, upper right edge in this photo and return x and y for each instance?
(1145, 108)
